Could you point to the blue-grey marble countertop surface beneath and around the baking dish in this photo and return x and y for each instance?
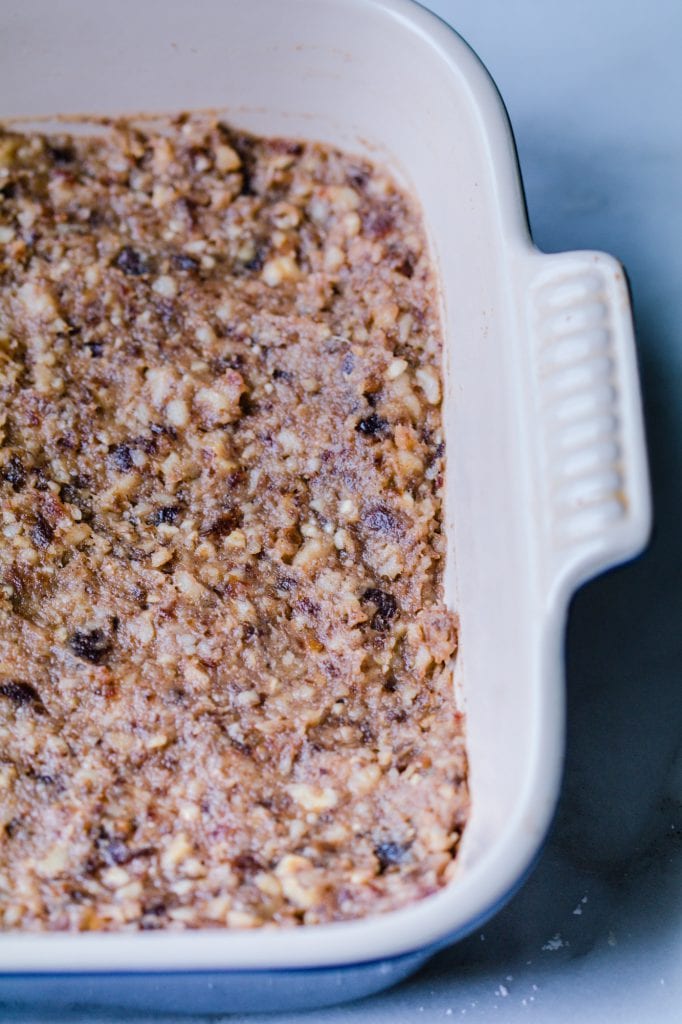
(594, 92)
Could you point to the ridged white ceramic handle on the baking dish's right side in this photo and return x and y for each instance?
(588, 424)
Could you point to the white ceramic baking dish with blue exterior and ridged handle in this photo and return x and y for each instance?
(547, 482)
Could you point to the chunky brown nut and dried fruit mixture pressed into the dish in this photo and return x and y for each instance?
(226, 694)
